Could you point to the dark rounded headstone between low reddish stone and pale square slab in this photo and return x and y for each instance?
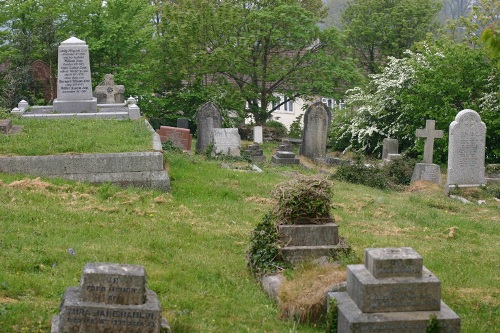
(208, 118)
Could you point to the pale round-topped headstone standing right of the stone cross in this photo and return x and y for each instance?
(466, 150)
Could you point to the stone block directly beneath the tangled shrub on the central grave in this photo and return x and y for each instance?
(309, 234)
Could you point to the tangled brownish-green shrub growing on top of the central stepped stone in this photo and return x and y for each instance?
(302, 197)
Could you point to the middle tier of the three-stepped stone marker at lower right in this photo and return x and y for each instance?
(393, 294)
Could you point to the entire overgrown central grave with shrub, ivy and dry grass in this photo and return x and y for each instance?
(297, 231)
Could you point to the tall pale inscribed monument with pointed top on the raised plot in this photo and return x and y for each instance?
(74, 87)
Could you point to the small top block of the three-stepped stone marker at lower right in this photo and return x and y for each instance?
(393, 262)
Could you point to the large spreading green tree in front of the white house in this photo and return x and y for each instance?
(253, 50)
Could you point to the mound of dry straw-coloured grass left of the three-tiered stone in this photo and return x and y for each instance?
(303, 297)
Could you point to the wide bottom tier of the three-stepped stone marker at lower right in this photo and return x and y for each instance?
(352, 320)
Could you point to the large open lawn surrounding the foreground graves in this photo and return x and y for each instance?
(192, 243)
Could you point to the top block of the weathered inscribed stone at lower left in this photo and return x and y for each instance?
(113, 284)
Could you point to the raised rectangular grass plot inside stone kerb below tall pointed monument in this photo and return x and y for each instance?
(66, 136)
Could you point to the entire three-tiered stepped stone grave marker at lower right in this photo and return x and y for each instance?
(392, 292)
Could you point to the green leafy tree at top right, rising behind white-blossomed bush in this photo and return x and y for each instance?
(377, 29)
